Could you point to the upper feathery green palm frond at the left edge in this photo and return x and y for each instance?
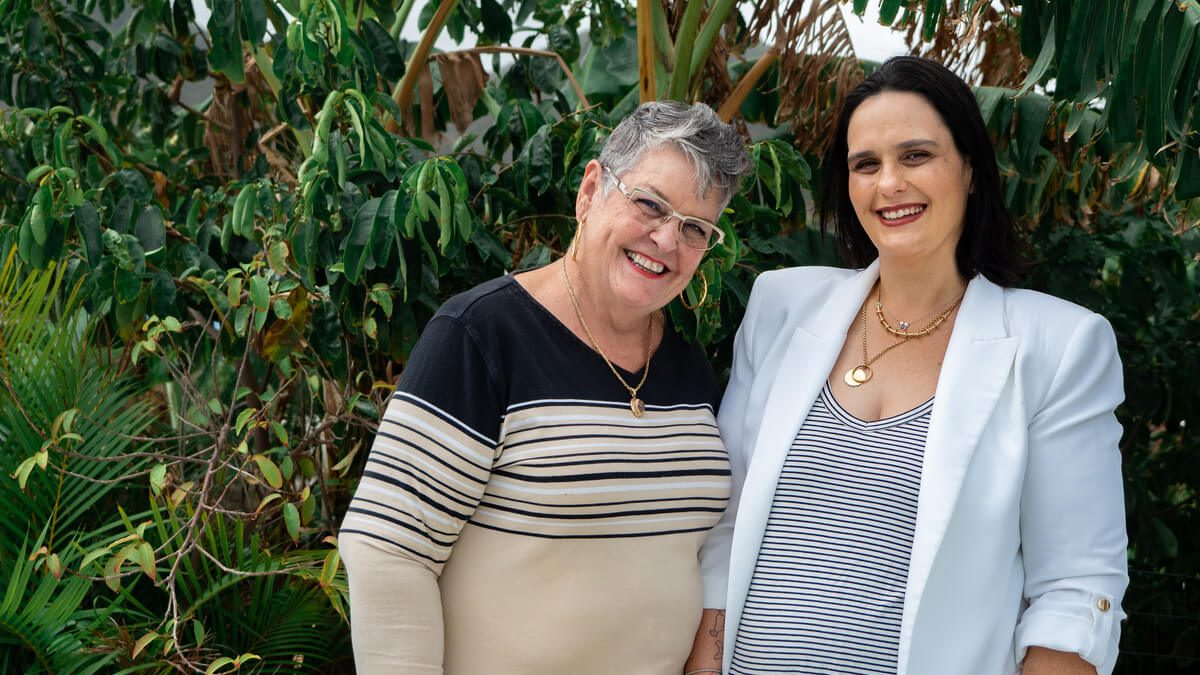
(49, 367)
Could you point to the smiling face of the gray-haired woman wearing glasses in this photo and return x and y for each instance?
(626, 266)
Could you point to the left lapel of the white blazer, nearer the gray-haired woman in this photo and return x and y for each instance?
(801, 374)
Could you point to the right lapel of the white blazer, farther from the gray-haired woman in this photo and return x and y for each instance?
(975, 372)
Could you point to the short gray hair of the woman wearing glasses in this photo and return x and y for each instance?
(712, 147)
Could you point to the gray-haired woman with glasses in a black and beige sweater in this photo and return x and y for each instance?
(550, 464)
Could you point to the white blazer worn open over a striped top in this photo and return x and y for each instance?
(1021, 535)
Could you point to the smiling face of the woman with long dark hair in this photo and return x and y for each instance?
(908, 182)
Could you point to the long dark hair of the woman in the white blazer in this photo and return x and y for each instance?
(989, 244)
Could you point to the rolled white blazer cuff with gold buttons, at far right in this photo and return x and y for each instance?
(1088, 624)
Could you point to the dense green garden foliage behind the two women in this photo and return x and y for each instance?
(208, 296)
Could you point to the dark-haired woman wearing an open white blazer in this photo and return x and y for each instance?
(927, 476)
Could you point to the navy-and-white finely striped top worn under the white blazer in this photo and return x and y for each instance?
(829, 589)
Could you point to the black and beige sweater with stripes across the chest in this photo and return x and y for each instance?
(562, 533)
